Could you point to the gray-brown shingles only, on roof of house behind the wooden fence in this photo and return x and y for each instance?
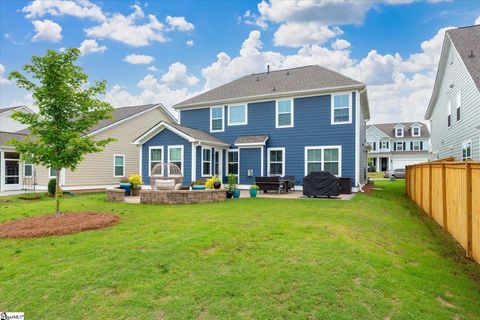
(467, 42)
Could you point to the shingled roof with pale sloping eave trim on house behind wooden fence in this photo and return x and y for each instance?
(466, 41)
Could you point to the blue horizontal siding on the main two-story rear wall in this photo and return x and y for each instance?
(312, 127)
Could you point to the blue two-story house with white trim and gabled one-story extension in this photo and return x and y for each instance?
(279, 123)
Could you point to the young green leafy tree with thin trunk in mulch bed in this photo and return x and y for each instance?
(67, 110)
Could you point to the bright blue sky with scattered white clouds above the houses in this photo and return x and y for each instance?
(166, 51)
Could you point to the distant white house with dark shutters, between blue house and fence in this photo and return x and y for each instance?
(396, 145)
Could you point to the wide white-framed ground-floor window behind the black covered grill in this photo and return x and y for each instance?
(323, 159)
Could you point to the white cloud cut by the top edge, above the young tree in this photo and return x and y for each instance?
(79, 9)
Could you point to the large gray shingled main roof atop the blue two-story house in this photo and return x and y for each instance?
(302, 80)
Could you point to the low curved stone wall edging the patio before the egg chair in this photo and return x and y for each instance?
(181, 196)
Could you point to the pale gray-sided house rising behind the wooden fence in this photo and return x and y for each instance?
(454, 108)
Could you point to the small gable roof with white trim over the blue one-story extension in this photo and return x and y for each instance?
(188, 133)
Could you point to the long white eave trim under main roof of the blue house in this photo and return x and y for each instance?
(270, 97)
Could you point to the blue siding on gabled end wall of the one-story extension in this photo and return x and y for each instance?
(164, 139)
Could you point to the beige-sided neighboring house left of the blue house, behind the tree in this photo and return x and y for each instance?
(119, 158)
